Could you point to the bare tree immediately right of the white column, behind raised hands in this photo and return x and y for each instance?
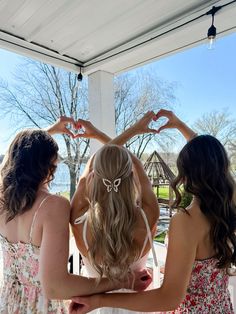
(135, 95)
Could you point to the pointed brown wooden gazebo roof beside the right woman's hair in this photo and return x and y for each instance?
(157, 169)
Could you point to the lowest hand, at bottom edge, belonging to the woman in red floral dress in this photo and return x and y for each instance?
(82, 305)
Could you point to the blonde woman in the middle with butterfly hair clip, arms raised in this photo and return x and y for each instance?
(114, 211)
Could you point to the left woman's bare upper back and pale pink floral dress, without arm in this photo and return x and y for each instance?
(20, 240)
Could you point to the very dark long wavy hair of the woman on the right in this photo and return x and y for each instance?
(203, 170)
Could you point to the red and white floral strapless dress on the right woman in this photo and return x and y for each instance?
(207, 291)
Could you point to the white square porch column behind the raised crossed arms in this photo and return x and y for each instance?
(101, 105)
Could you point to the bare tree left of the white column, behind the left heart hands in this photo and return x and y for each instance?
(41, 94)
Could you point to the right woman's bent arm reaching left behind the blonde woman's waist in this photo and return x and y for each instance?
(177, 276)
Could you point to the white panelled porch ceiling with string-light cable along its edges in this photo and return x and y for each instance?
(109, 35)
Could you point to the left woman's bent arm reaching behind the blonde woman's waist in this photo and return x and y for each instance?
(57, 283)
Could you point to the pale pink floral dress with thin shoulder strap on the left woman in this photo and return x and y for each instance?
(20, 289)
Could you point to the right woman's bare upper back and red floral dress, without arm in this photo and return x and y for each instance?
(207, 290)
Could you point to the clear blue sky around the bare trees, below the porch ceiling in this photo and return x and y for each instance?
(206, 80)
